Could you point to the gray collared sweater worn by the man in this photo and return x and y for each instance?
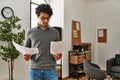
(38, 38)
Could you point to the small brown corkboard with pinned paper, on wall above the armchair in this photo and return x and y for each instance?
(102, 35)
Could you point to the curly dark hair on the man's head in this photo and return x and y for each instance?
(45, 8)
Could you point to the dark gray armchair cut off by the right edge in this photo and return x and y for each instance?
(113, 66)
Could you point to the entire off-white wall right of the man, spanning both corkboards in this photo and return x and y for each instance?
(93, 14)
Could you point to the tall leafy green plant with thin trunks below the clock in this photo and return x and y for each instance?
(8, 52)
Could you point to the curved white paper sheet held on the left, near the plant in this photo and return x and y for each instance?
(25, 50)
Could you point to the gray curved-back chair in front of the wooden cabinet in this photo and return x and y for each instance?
(93, 71)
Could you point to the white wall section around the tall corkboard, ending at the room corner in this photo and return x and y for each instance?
(77, 10)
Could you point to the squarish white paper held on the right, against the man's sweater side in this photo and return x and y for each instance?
(57, 47)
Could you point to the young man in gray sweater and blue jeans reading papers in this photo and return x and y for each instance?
(42, 64)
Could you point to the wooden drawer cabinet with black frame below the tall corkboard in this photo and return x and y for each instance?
(76, 62)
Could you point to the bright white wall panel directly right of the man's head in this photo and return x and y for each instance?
(58, 13)
